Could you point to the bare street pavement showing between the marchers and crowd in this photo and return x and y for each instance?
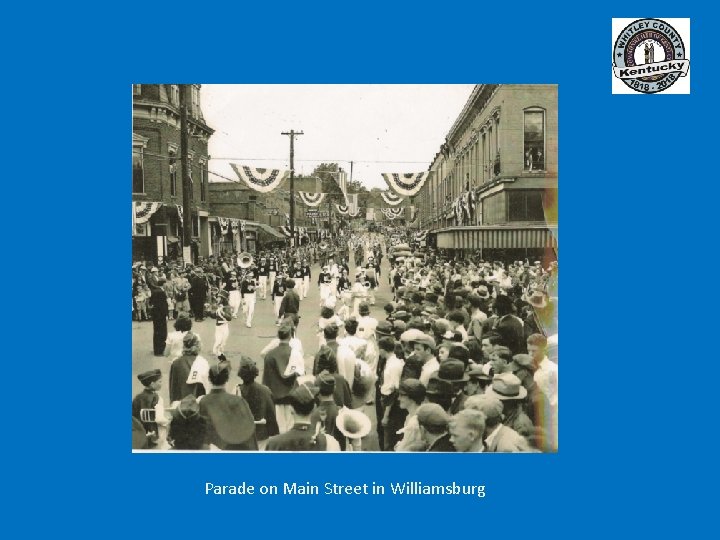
(245, 341)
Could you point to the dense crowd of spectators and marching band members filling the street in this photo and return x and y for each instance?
(464, 359)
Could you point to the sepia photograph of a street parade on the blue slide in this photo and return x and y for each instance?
(345, 268)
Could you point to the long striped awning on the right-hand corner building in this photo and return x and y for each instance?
(473, 238)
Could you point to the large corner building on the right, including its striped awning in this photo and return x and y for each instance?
(493, 184)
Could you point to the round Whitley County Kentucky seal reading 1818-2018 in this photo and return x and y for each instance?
(649, 56)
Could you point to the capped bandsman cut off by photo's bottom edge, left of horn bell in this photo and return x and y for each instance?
(301, 437)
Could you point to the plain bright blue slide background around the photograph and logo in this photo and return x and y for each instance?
(638, 178)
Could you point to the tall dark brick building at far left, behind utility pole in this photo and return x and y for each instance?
(156, 173)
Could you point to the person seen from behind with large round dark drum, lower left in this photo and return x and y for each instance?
(231, 425)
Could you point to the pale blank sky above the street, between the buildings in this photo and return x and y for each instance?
(382, 128)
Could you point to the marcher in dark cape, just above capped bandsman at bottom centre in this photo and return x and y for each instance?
(274, 378)
